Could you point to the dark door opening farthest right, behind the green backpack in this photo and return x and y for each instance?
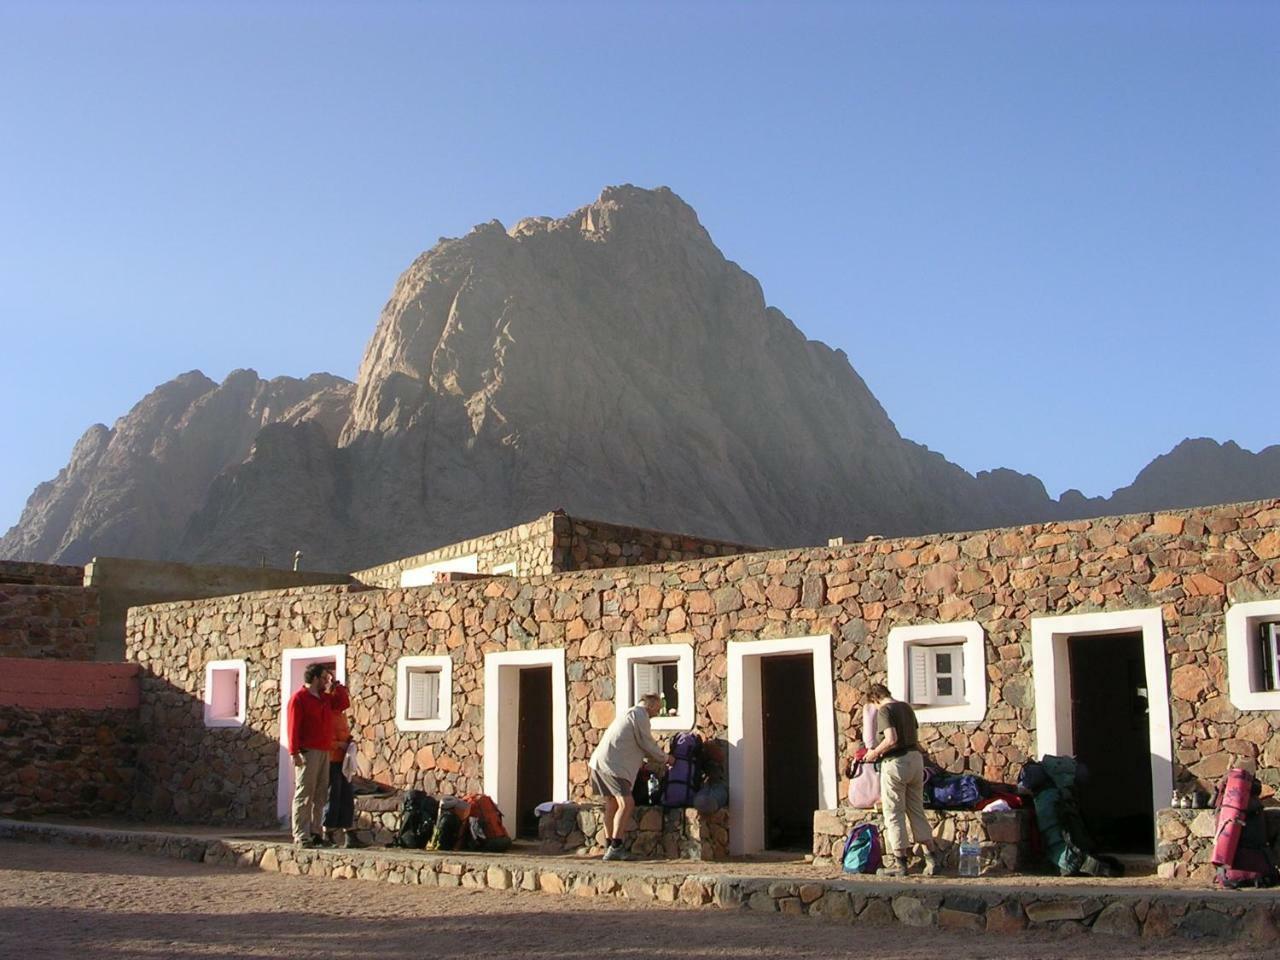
(1112, 733)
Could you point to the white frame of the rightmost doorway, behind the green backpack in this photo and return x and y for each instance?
(1052, 668)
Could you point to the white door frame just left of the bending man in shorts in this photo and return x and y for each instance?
(502, 719)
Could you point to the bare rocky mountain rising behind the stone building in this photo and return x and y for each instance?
(611, 363)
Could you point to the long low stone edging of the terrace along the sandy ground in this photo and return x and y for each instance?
(998, 908)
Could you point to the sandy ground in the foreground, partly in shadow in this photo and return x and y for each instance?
(61, 902)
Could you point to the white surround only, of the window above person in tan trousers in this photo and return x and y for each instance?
(972, 641)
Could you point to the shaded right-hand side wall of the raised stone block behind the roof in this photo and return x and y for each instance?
(592, 545)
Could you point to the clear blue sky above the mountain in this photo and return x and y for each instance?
(1046, 235)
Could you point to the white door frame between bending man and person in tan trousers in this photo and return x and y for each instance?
(747, 761)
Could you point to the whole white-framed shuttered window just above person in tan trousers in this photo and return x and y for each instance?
(940, 669)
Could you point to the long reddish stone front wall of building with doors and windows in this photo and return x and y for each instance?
(1188, 564)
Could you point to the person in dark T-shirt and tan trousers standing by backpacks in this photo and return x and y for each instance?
(902, 784)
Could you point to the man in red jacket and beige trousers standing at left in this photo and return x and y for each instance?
(310, 738)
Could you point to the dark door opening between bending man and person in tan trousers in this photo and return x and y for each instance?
(790, 739)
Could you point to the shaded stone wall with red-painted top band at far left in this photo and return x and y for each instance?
(68, 739)
